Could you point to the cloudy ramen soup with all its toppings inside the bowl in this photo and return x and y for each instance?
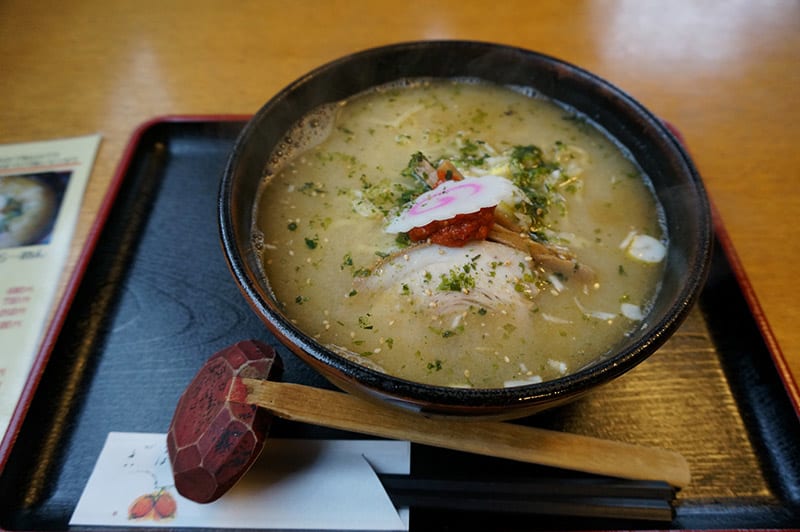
(571, 258)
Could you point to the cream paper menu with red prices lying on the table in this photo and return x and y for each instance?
(41, 190)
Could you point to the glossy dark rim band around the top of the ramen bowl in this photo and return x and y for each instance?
(518, 397)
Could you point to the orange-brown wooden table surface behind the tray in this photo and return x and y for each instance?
(726, 73)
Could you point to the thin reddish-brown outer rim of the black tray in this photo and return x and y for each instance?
(63, 306)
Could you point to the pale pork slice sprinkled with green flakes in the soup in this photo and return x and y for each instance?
(447, 281)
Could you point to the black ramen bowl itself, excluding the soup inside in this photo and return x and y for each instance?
(676, 182)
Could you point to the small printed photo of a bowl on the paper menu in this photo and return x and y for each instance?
(29, 206)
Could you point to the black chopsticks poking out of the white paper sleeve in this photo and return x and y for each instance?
(579, 497)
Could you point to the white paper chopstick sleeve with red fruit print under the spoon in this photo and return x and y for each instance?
(294, 485)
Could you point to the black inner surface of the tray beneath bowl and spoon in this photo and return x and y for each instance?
(153, 299)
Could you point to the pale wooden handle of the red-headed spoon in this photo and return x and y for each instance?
(564, 450)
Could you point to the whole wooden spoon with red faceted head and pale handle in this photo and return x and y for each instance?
(223, 417)
